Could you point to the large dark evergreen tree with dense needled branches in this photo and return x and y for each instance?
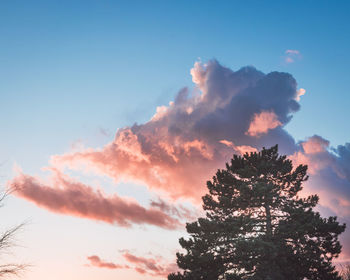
(256, 227)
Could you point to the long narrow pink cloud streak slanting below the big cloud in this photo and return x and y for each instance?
(63, 195)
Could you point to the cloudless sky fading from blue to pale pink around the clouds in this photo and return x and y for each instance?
(73, 72)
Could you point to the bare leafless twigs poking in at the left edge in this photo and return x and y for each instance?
(6, 242)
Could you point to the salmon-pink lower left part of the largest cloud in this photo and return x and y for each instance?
(164, 165)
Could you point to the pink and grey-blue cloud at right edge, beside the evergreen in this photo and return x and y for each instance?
(329, 170)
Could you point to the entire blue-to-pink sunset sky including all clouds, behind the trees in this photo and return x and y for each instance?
(109, 108)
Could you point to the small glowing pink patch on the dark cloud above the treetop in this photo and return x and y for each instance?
(262, 123)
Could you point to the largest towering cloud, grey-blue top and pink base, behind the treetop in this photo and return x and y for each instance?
(174, 152)
